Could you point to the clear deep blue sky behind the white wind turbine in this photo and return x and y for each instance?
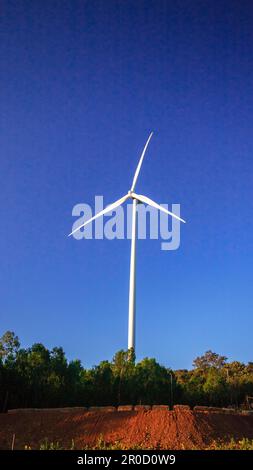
(82, 84)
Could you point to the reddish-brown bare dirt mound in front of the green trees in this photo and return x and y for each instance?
(156, 428)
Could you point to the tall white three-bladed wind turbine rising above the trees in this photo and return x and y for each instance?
(137, 198)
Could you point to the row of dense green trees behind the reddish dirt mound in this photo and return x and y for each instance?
(39, 377)
